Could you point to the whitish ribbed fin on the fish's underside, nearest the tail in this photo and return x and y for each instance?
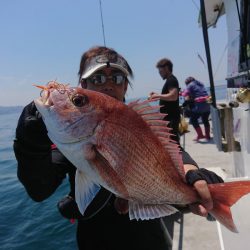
(149, 211)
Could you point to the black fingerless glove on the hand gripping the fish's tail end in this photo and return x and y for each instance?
(202, 174)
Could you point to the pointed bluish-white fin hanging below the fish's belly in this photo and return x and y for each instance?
(85, 190)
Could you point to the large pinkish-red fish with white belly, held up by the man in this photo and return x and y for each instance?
(127, 150)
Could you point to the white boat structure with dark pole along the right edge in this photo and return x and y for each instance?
(231, 121)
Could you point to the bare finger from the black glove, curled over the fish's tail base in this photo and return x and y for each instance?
(203, 191)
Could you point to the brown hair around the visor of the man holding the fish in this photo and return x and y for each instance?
(95, 51)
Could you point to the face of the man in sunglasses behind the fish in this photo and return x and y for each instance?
(109, 81)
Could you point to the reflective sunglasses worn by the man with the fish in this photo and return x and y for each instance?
(101, 79)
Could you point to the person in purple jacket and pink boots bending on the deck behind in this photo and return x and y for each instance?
(196, 94)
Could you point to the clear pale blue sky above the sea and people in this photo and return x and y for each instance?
(44, 40)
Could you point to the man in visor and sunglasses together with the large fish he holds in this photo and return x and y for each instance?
(119, 158)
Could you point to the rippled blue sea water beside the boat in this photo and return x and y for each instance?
(25, 224)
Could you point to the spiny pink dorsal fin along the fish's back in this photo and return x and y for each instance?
(152, 116)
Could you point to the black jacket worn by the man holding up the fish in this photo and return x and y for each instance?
(42, 169)
